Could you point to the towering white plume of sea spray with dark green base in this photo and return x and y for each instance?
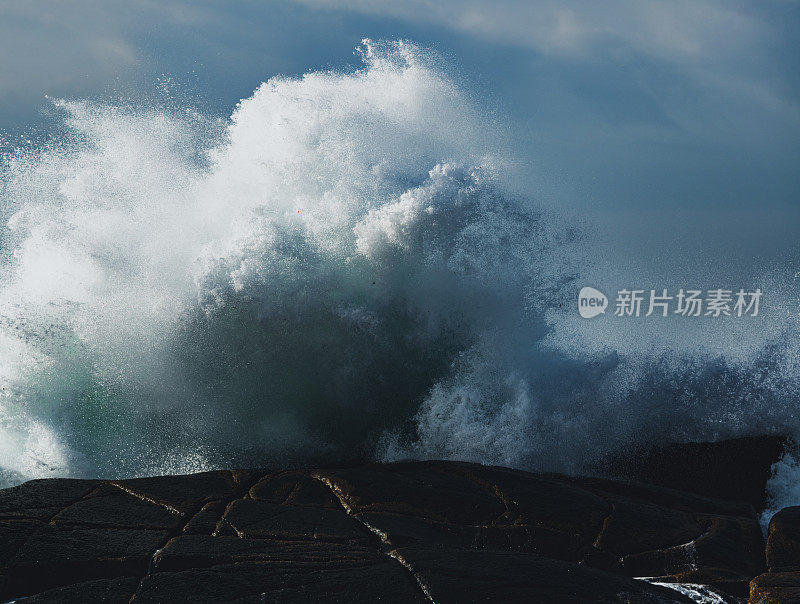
(291, 290)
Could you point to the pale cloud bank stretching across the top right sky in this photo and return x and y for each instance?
(717, 45)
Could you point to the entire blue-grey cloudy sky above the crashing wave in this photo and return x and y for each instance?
(671, 128)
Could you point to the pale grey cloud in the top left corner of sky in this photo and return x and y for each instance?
(78, 49)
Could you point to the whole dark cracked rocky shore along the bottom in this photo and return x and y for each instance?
(407, 532)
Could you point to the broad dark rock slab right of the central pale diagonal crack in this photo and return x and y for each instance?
(637, 529)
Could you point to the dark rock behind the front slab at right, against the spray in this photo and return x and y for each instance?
(736, 469)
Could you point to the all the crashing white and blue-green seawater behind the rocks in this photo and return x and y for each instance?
(347, 267)
